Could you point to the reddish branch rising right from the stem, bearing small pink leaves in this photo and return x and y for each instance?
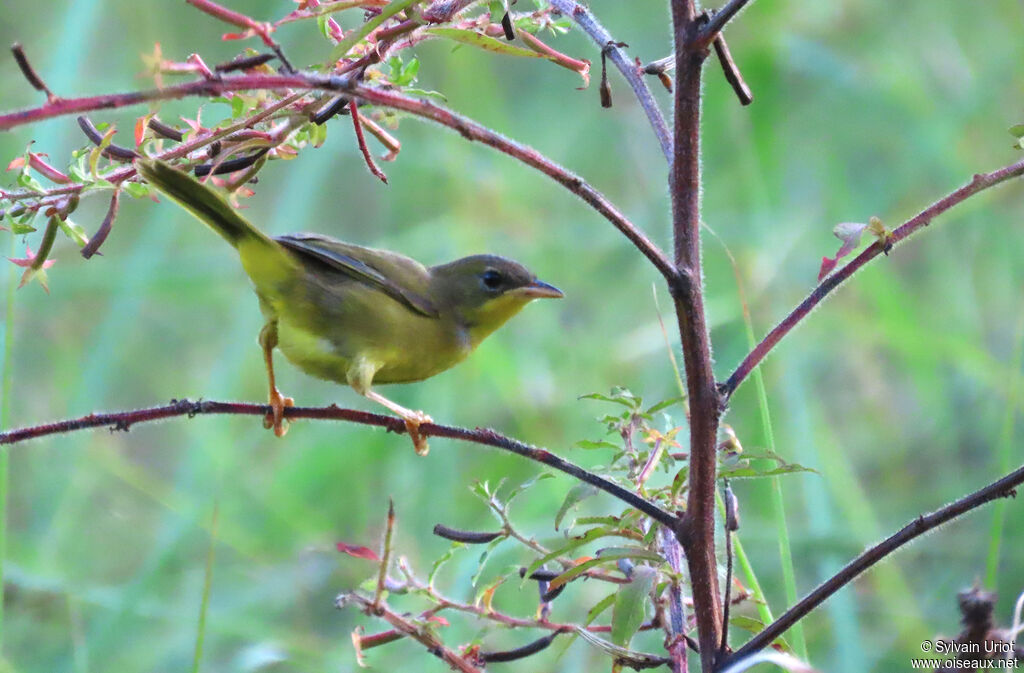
(980, 183)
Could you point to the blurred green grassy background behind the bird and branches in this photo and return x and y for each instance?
(898, 391)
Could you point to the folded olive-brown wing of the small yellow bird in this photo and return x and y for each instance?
(383, 271)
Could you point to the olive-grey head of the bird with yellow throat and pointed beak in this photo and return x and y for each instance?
(485, 291)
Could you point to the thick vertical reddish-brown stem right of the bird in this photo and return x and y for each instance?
(698, 529)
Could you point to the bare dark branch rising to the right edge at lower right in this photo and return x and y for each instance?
(1004, 488)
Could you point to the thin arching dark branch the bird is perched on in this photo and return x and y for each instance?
(124, 422)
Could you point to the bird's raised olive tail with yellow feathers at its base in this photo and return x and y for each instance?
(267, 263)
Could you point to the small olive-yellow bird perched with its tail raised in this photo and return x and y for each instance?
(355, 315)
